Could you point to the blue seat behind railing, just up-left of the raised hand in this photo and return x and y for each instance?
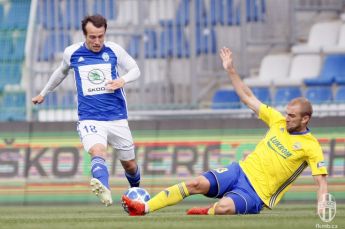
(206, 41)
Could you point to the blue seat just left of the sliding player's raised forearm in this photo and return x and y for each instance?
(225, 99)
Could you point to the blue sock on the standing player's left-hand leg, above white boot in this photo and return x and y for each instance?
(99, 170)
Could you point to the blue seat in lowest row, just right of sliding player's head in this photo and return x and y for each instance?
(319, 94)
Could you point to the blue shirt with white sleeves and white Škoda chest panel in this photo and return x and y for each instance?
(92, 70)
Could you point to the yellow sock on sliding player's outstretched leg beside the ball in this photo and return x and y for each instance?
(168, 197)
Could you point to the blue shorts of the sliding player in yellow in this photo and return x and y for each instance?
(233, 183)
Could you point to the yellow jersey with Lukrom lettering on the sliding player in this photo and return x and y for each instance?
(280, 158)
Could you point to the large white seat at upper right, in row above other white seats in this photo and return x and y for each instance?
(321, 35)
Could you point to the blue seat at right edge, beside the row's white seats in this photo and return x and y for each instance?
(332, 69)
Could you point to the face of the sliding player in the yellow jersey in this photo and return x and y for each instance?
(294, 120)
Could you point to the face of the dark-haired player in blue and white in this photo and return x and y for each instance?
(94, 37)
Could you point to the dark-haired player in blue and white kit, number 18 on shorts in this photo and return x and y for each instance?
(102, 107)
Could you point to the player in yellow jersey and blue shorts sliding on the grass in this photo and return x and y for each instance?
(265, 175)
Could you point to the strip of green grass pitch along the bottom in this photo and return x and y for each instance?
(97, 216)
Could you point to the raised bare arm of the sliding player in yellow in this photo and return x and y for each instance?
(243, 91)
